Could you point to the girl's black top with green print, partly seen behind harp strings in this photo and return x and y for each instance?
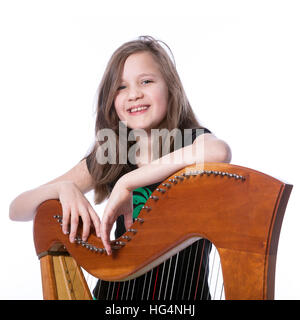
(184, 276)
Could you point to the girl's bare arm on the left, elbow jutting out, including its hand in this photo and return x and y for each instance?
(69, 189)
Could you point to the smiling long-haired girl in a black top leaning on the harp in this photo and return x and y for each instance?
(142, 89)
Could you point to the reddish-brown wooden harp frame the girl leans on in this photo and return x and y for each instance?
(238, 209)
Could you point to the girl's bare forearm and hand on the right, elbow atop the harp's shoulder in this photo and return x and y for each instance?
(207, 148)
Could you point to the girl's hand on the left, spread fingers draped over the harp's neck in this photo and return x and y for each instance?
(75, 205)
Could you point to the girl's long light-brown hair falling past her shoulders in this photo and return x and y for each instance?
(179, 112)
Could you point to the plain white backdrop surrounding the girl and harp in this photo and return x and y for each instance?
(239, 64)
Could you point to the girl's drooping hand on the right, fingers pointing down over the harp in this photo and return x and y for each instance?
(120, 202)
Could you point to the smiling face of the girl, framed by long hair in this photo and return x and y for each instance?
(142, 96)
